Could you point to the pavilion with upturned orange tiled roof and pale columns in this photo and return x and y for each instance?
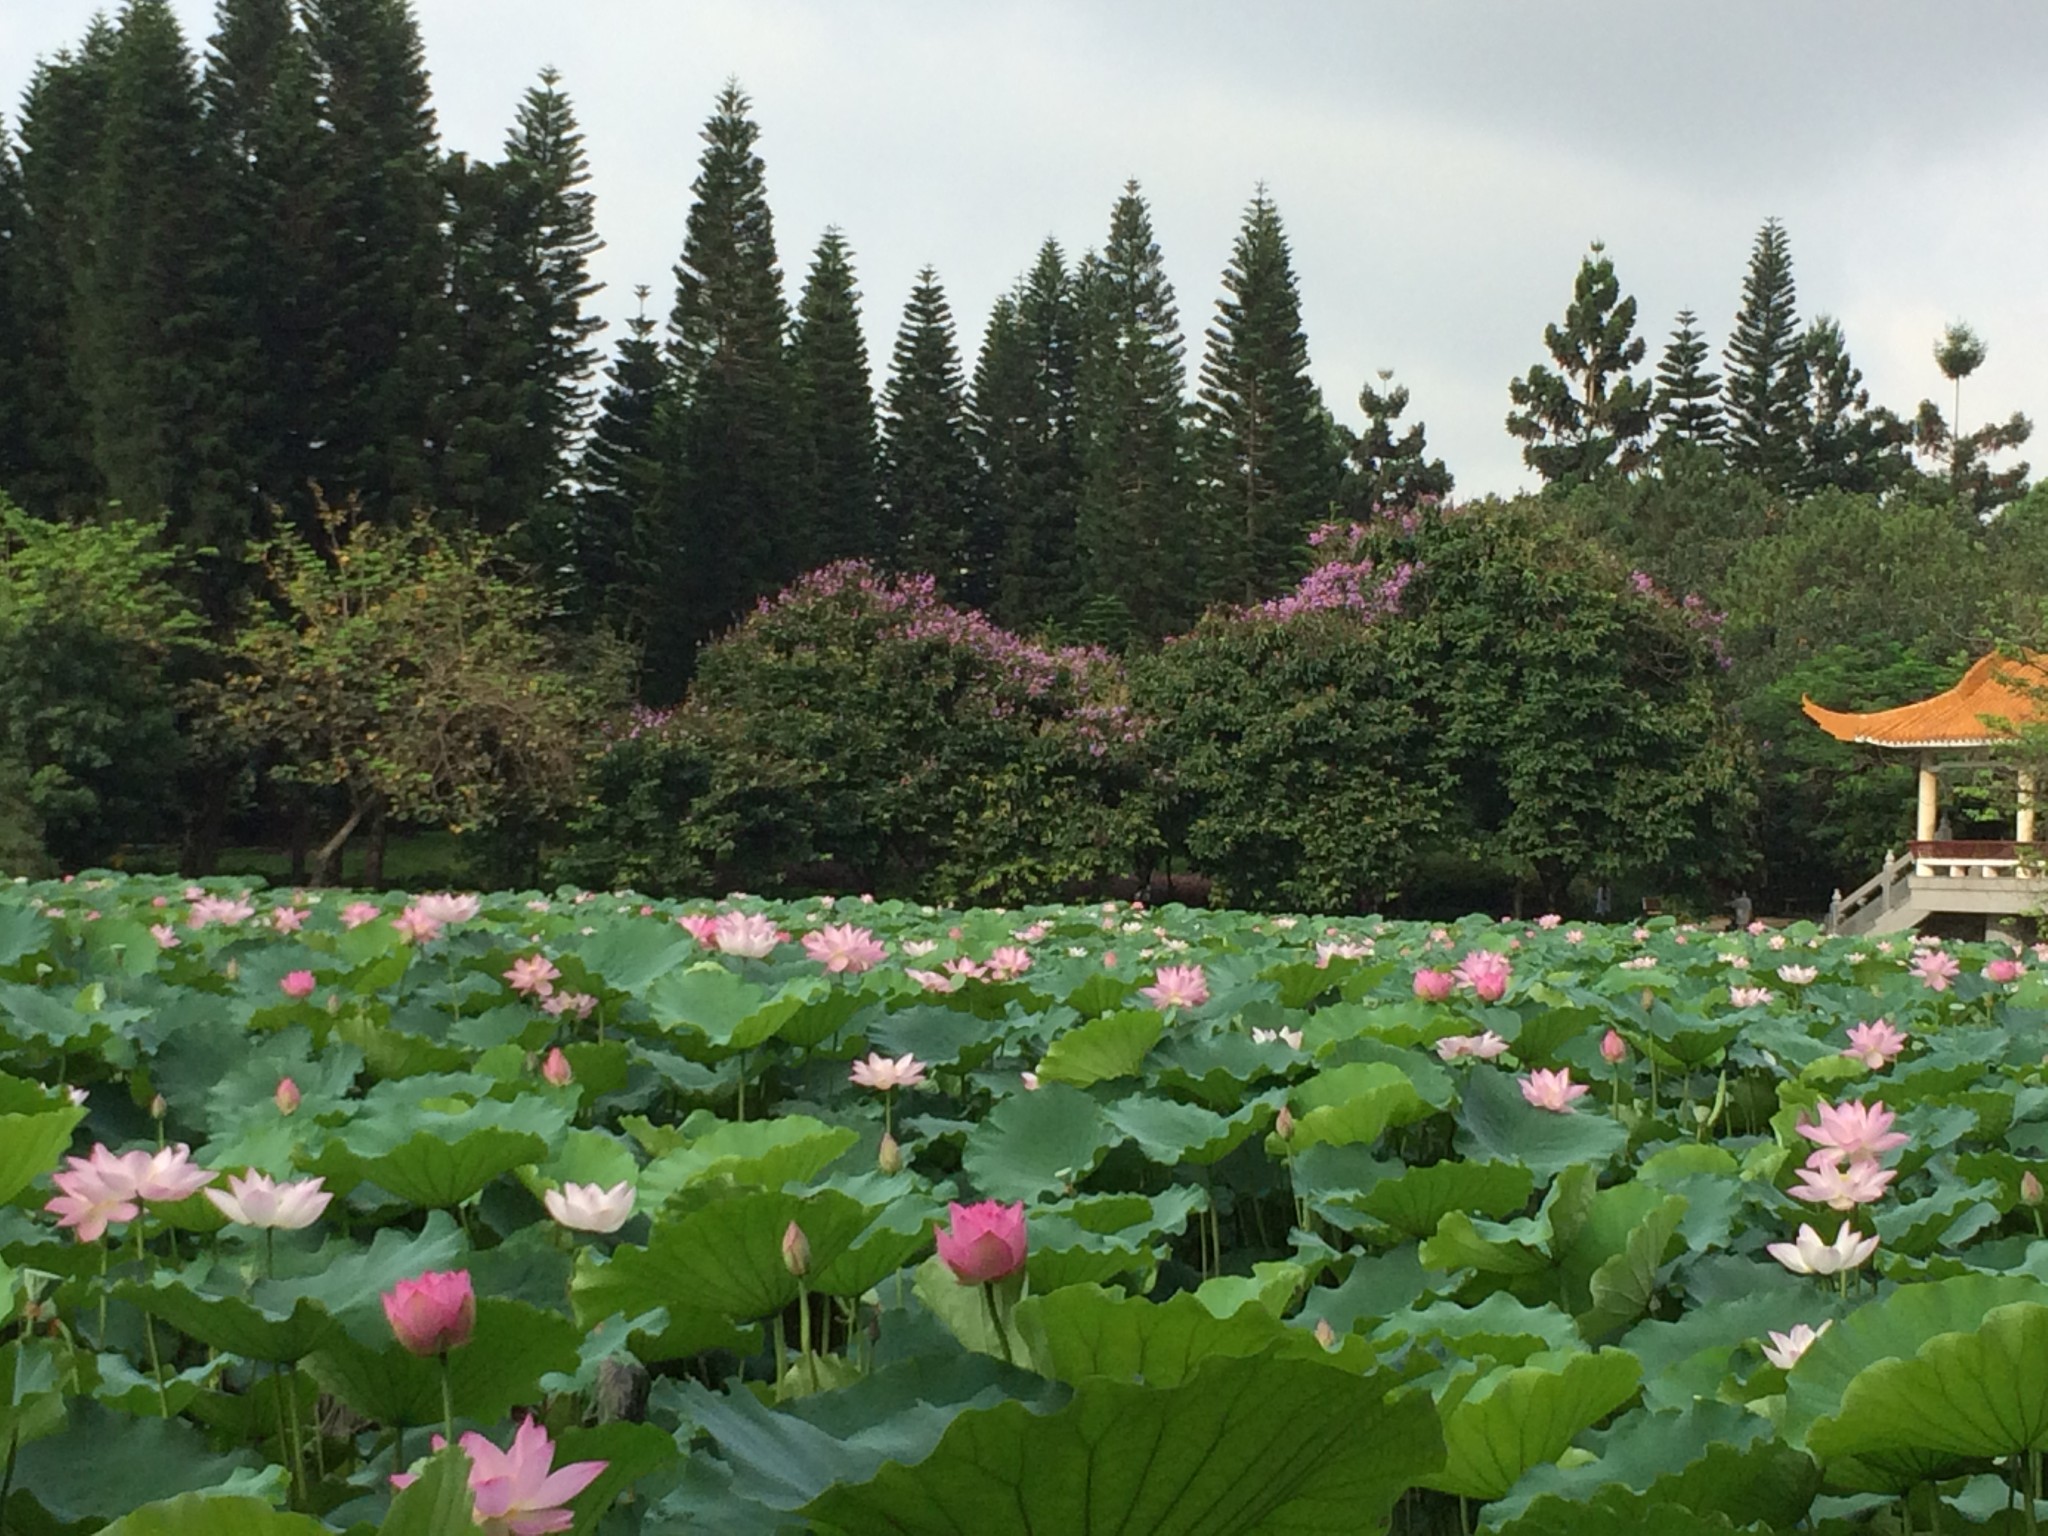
(1971, 728)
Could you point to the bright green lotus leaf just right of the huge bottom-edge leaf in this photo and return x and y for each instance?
(1498, 1424)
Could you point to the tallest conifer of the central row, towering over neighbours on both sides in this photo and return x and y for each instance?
(732, 472)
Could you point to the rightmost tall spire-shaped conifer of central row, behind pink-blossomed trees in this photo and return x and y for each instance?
(1269, 458)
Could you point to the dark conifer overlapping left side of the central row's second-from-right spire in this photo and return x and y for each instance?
(1025, 431)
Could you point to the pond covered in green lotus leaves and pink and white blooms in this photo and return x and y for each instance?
(863, 1218)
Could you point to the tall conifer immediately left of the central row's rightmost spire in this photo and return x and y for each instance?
(1136, 534)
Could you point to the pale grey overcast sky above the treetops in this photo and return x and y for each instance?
(1441, 167)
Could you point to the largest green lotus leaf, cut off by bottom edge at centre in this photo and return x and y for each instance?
(1242, 1445)
